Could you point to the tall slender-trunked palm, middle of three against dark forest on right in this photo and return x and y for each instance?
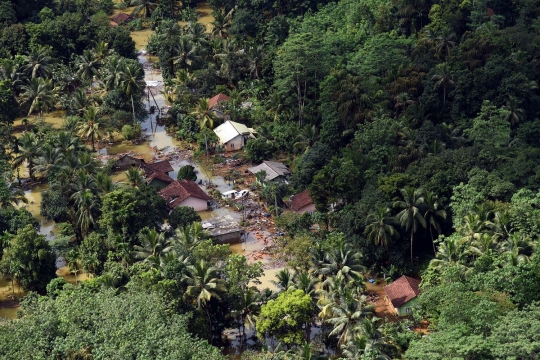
(410, 216)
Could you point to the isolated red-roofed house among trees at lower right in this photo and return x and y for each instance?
(402, 295)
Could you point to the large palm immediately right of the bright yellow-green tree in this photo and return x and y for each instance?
(345, 313)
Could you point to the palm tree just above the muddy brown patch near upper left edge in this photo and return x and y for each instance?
(38, 94)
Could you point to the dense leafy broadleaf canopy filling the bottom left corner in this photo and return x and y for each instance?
(101, 324)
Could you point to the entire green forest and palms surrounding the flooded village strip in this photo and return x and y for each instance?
(413, 124)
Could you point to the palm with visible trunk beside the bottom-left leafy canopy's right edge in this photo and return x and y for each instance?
(203, 286)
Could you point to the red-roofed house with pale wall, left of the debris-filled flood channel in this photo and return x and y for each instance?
(185, 193)
